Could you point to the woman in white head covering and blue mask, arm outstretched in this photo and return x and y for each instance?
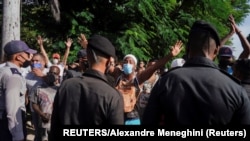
(129, 83)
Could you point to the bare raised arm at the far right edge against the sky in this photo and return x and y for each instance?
(244, 42)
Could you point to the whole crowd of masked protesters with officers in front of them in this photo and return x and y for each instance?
(98, 89)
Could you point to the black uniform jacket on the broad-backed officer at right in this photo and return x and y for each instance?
(197, 94)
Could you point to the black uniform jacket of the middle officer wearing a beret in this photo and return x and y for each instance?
(87, 100)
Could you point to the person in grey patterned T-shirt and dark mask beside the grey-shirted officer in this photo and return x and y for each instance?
(42, 101)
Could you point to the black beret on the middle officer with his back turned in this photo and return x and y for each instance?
(102, 44)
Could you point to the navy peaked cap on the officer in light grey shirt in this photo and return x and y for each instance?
(16, 46)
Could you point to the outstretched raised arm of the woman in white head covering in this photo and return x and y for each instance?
(145, 75)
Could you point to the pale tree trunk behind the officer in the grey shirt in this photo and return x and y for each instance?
(11, 22)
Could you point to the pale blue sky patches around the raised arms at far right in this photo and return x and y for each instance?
(245, 29)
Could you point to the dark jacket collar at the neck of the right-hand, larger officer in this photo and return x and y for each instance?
(200, 61)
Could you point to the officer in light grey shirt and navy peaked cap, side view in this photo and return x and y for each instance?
(12, 91)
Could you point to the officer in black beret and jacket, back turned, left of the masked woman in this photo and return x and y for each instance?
(89, 100)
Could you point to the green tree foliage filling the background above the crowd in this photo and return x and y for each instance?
(145, 28)
